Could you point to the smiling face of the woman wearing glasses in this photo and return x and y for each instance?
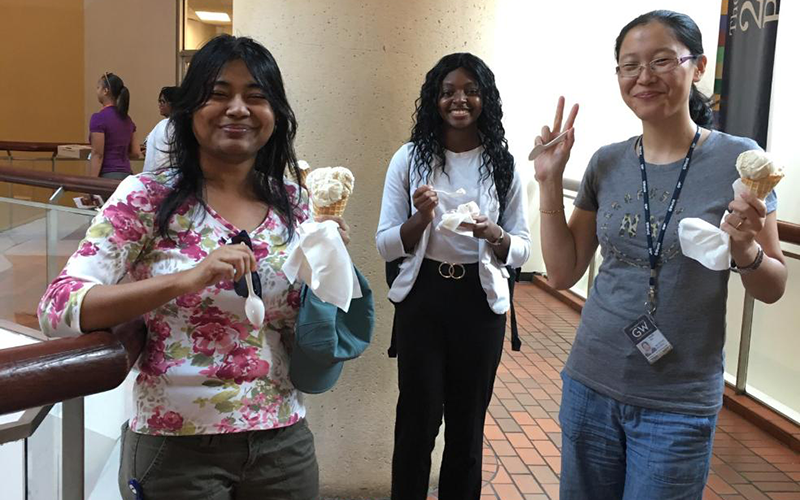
(657, 96)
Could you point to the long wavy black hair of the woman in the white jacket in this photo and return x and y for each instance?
(496, 161)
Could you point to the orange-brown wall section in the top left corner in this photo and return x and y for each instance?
(41, 61)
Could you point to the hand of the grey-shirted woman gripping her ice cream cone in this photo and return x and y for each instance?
(747, 218)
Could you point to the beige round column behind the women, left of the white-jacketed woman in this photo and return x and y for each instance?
(352, 73)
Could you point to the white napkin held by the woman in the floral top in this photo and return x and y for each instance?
(320, 260)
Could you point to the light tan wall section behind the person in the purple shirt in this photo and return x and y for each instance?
(137, 41)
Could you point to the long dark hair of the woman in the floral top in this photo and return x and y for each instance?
(272, 159)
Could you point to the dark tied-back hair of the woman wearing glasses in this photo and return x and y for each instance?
(687, 32)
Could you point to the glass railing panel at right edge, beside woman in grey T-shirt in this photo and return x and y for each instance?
(774, 370)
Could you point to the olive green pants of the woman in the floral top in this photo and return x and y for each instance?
(255, 465)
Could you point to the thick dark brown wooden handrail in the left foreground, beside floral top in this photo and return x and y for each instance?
(61, 369)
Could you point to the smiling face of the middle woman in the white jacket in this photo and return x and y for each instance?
(460, 100)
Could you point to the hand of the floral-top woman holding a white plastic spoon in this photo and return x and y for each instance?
(229, 262)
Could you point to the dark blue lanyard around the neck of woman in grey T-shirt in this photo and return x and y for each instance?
(654, 251)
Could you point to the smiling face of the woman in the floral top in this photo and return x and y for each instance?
(237, 120)
